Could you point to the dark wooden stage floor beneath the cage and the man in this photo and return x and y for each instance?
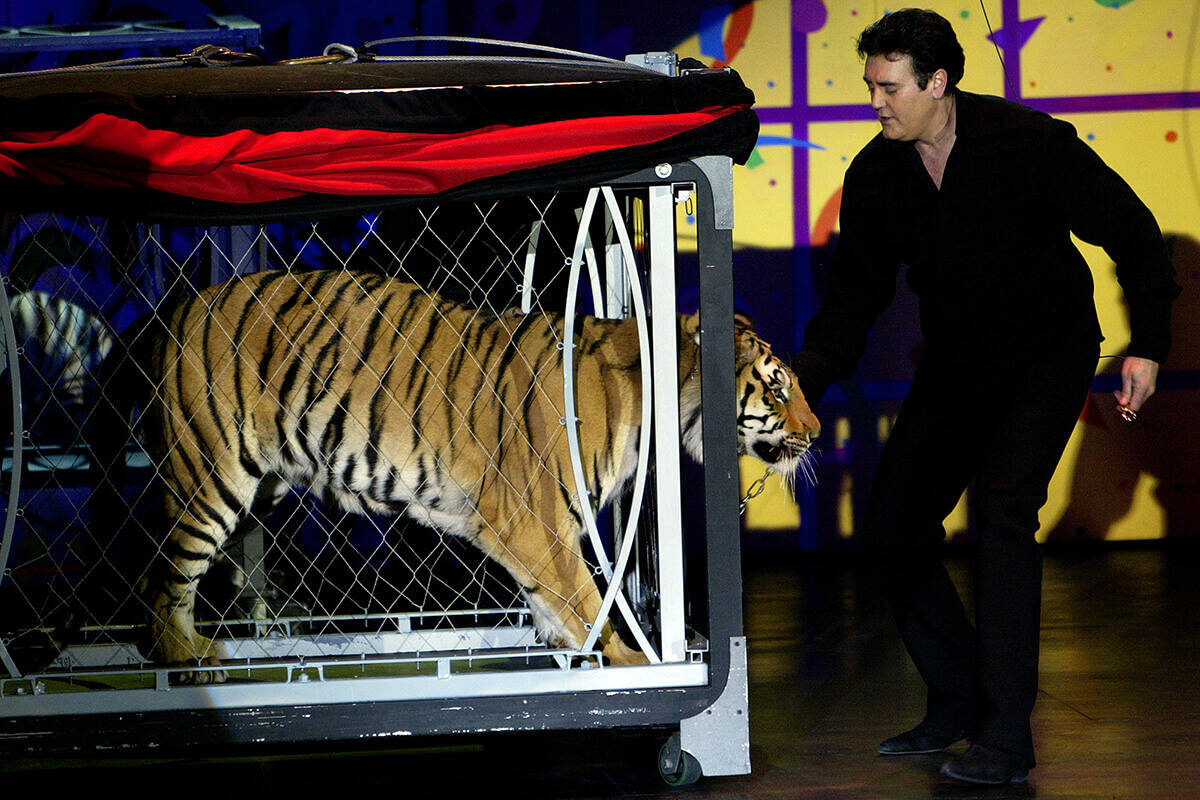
(1119, 714)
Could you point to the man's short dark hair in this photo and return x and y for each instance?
(925, 37)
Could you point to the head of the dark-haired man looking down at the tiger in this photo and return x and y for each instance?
(914, 63)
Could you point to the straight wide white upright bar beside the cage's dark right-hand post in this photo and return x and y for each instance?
(664, 327)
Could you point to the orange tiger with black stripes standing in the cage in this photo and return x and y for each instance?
(382, 398)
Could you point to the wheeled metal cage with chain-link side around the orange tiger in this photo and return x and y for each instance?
(345, 627)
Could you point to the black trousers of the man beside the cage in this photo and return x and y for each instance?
(1003, 426)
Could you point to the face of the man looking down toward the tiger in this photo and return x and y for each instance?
(907, 112)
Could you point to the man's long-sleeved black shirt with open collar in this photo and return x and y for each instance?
(989, 255)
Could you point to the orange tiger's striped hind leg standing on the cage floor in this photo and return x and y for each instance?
(203, 520)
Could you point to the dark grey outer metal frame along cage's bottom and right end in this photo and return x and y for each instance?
(705, 696)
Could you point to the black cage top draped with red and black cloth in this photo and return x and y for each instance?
(266, 142)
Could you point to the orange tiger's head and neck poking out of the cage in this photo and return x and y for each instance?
(776, 424)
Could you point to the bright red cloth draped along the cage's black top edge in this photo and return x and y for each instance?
(247, 167)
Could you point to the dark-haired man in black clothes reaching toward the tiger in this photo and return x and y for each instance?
(979, 197)
